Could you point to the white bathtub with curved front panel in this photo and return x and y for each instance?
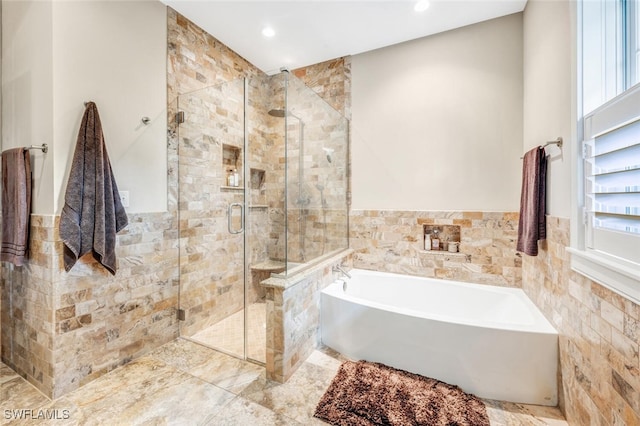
(490, 341)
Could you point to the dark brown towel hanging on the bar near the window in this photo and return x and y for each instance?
(532, 223)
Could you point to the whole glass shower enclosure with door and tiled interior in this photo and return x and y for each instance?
(262, 187)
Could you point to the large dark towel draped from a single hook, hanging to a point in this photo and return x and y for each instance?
(92, 212)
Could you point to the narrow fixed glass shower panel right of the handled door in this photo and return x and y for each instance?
(265, 236)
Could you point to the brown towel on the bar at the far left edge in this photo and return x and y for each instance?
(16, 204)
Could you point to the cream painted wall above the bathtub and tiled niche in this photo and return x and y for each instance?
(437, 122)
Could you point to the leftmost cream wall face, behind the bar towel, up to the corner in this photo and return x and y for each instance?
(27, 98)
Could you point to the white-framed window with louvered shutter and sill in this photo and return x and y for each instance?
(610, 72)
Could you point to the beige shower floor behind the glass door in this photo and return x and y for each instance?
(227, 335)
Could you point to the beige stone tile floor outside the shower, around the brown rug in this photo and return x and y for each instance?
(184, 383)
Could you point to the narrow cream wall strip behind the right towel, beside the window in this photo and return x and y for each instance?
(548, 91)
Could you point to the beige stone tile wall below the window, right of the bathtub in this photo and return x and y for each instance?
(599, 335)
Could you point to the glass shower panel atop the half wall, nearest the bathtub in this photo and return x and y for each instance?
(317, 161)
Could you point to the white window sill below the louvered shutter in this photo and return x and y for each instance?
(613, 273)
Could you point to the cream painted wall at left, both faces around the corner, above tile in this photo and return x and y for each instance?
(110, 52)
